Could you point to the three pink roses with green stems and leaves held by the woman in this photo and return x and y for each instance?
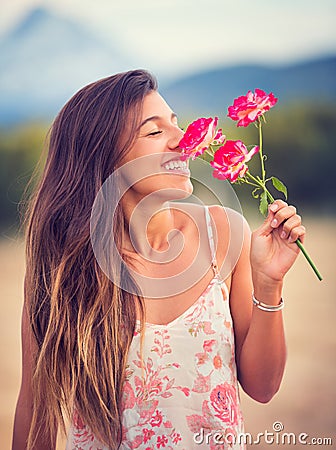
(229, 158)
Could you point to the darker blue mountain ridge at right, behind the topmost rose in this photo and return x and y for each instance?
(210, 92)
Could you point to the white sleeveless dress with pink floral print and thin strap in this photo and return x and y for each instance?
(186, 395)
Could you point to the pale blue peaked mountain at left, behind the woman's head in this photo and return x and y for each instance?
(45, 59)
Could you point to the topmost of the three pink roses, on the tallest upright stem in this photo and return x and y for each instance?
(247, 108)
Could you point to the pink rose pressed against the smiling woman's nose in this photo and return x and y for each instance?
(199, 135)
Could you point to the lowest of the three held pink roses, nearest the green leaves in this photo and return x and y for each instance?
(230, 160)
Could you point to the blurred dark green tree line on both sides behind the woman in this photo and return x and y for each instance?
(298, 138)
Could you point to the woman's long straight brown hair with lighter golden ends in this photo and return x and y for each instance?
(82, 321)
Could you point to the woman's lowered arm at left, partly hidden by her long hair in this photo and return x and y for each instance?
(24, 406)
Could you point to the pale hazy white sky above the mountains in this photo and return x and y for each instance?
(175, 37)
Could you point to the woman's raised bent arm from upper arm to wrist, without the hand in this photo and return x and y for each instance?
(259, 335)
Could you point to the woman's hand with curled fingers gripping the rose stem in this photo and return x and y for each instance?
(273, 247)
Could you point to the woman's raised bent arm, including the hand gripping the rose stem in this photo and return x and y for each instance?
(259, 335)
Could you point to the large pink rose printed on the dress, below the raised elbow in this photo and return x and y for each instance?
(224, 402)
